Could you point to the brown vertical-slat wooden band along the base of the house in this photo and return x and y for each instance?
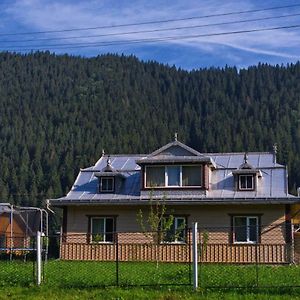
(211, 253)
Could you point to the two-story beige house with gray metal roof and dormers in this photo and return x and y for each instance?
(240, 200)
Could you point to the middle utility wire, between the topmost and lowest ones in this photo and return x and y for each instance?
(151, 30)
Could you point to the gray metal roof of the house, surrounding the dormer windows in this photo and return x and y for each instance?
(271, 185)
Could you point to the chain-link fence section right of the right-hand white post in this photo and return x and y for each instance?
(247, 254)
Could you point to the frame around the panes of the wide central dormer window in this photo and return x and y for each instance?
(180, 177)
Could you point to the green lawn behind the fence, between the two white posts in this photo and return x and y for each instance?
(90, 273)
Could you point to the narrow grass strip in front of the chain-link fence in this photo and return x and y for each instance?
(162, 293)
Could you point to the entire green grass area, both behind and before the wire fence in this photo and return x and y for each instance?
(97, 280)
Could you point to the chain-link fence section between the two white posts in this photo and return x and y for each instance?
(123, 258)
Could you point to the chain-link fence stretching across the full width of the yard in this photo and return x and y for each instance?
(239, 256)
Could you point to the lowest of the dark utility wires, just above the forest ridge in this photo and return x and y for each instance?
(150, 40)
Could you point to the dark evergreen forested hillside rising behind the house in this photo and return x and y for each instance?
(59, 112)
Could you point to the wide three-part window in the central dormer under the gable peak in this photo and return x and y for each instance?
(173, 176)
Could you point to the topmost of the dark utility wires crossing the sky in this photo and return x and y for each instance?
(151, 22)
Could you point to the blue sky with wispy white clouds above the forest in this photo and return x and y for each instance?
(188, 34)
